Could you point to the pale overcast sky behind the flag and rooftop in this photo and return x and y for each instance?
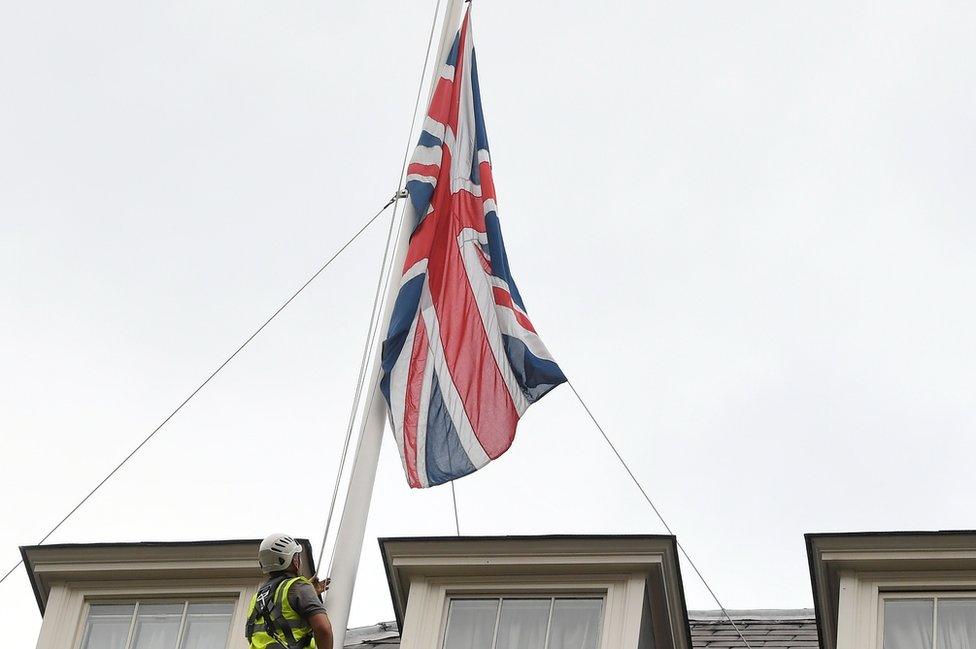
(745, 229)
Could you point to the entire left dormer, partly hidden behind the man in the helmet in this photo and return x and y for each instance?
(146, 595)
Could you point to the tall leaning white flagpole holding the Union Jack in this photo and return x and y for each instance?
(355, 511)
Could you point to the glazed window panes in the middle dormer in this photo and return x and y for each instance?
(524, 623)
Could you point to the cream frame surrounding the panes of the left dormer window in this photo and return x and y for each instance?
(69, 603)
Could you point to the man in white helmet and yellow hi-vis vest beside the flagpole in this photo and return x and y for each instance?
(286, 612)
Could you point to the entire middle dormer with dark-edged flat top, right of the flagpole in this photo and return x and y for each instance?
(568, 592)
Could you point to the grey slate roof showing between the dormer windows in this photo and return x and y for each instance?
(767, 629)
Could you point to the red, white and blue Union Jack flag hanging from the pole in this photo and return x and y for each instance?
(461, 361)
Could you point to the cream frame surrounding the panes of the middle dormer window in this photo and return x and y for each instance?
(429, 603)
